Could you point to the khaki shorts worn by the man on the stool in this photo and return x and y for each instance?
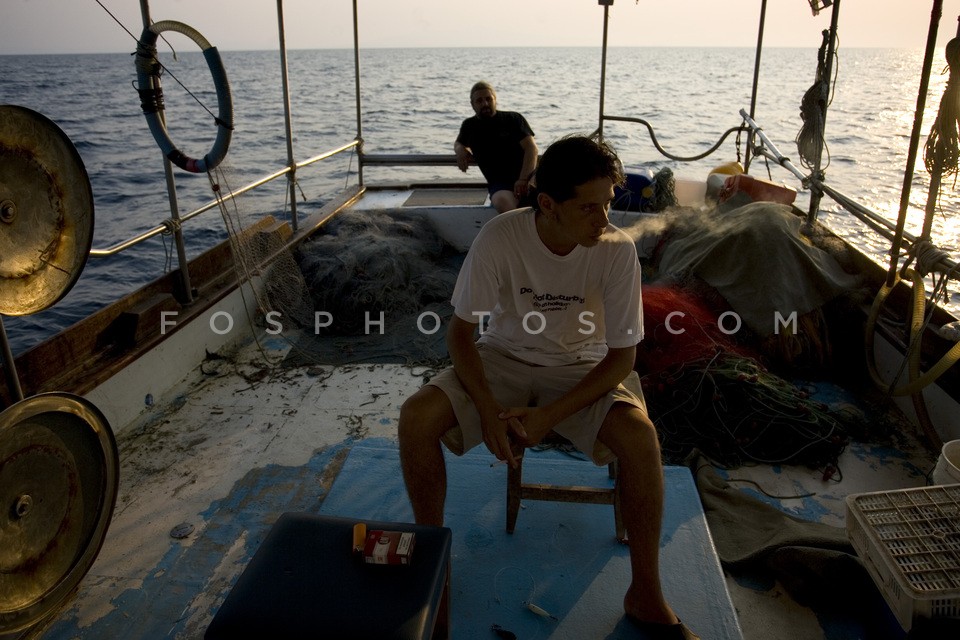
(518, 384)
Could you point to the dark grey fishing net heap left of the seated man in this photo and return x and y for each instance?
(381, 282)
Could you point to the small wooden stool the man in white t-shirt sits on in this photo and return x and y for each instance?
(517, 490)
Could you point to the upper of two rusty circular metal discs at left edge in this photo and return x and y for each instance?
(46, 212)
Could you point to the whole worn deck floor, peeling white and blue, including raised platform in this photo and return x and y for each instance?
(230, 459)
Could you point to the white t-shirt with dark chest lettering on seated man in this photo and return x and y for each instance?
(547, 309)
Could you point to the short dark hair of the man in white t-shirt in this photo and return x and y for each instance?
(575, 160)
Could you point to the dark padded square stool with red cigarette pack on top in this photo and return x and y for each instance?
(304, 582)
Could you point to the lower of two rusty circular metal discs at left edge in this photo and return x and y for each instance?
(59, 473)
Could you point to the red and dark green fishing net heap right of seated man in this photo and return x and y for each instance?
(707, 391)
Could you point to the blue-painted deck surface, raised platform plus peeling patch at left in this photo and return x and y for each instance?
(562, 557)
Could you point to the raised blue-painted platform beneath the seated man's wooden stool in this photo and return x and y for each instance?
(562, 557)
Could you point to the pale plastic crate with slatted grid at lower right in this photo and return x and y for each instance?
(909, 540)
